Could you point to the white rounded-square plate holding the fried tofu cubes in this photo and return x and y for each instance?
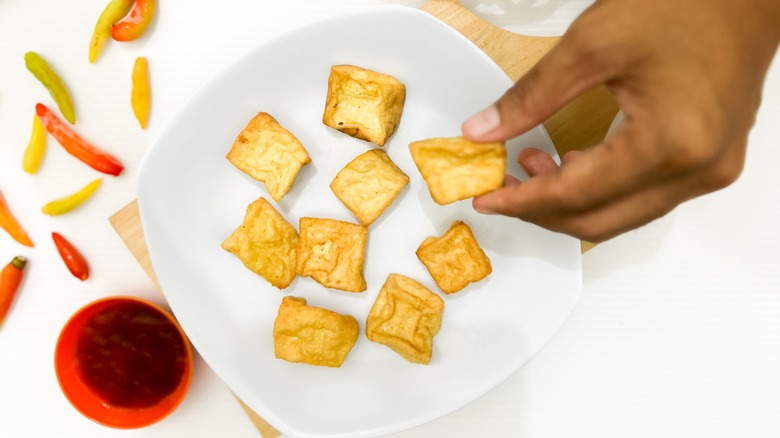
(191, 198)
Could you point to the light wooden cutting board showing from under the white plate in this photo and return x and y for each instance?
(582, 123)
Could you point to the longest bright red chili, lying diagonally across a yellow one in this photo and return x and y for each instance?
(77, 146)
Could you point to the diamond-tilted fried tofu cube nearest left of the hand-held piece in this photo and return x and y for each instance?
(368, 185)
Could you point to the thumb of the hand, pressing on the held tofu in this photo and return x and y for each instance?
(557, 79)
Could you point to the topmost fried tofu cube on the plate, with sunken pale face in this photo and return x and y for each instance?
(363, 103)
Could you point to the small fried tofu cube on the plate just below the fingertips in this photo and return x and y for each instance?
(455, 259)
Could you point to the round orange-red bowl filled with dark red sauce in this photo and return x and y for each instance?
(123, 362)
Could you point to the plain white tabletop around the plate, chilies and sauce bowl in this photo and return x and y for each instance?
(677, 333)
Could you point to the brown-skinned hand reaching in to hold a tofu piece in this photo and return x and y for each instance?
(687, 75)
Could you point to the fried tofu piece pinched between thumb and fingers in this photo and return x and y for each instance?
(456, 168)
